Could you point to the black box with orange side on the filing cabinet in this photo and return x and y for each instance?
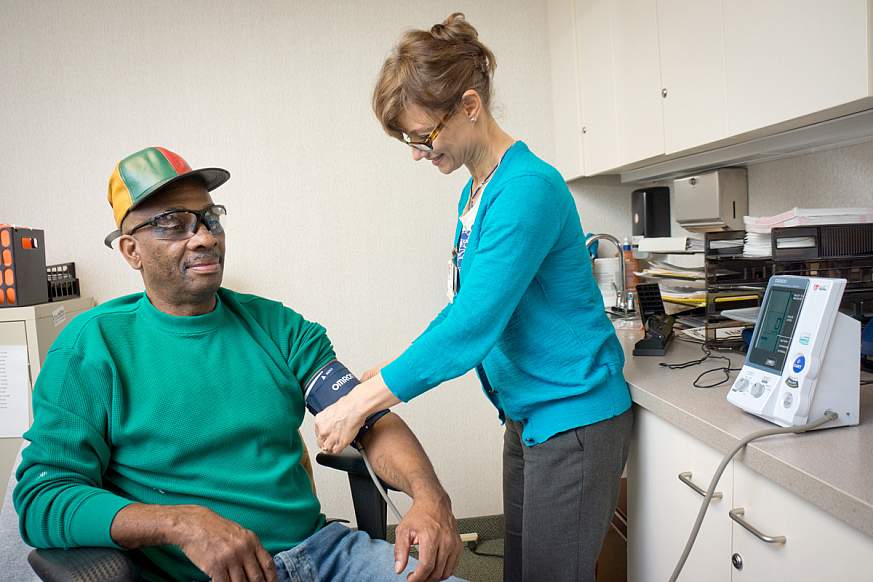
(22, 266)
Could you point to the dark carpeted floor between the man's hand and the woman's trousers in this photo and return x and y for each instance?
(479, 566)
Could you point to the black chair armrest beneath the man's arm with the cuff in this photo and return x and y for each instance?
(371, 511)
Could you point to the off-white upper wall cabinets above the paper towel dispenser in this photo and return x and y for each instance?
(659, 80)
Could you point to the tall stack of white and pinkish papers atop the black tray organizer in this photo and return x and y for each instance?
(758, 228)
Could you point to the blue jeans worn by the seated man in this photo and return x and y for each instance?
(337, 553)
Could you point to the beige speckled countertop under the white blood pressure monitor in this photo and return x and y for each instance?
(832, 469)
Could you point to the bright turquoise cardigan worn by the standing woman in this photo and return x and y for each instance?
(529, 316)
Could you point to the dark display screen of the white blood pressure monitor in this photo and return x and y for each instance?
(776, 328)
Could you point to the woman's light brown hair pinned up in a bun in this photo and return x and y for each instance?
(432, 69)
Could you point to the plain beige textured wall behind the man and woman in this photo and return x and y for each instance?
(325, 212)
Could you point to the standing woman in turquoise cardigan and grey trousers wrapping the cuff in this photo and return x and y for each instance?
(524, 311)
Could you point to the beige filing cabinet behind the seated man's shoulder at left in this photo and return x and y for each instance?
(35, 327)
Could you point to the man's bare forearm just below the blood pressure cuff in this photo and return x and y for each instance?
(398, 458)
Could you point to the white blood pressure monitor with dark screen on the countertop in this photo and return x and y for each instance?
(803, 359)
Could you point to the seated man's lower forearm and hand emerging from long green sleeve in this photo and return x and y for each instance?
(222, 549)
